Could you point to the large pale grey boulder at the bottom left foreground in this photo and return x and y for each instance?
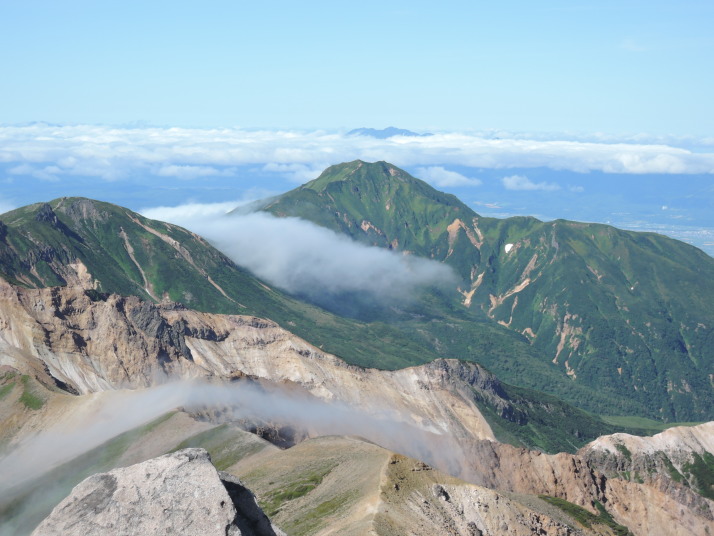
(179, 494)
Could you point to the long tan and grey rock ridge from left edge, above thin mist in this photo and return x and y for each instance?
(93, 342)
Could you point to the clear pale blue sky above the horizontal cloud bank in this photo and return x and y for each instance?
(606, 66)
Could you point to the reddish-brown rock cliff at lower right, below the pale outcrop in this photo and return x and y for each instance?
(650, 507)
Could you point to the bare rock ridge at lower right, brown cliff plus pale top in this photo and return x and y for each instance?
(653, 505)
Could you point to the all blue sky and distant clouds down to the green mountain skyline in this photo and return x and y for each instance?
(597, 111)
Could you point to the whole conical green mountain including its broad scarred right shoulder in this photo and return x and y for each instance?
(628, 314)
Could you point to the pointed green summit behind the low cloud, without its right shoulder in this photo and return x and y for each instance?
(378, 204)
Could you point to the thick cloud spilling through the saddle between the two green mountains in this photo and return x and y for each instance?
(303, 258)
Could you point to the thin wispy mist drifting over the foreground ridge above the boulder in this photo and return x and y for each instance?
(121, 411)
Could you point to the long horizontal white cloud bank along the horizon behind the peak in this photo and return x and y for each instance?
(52, 152)
